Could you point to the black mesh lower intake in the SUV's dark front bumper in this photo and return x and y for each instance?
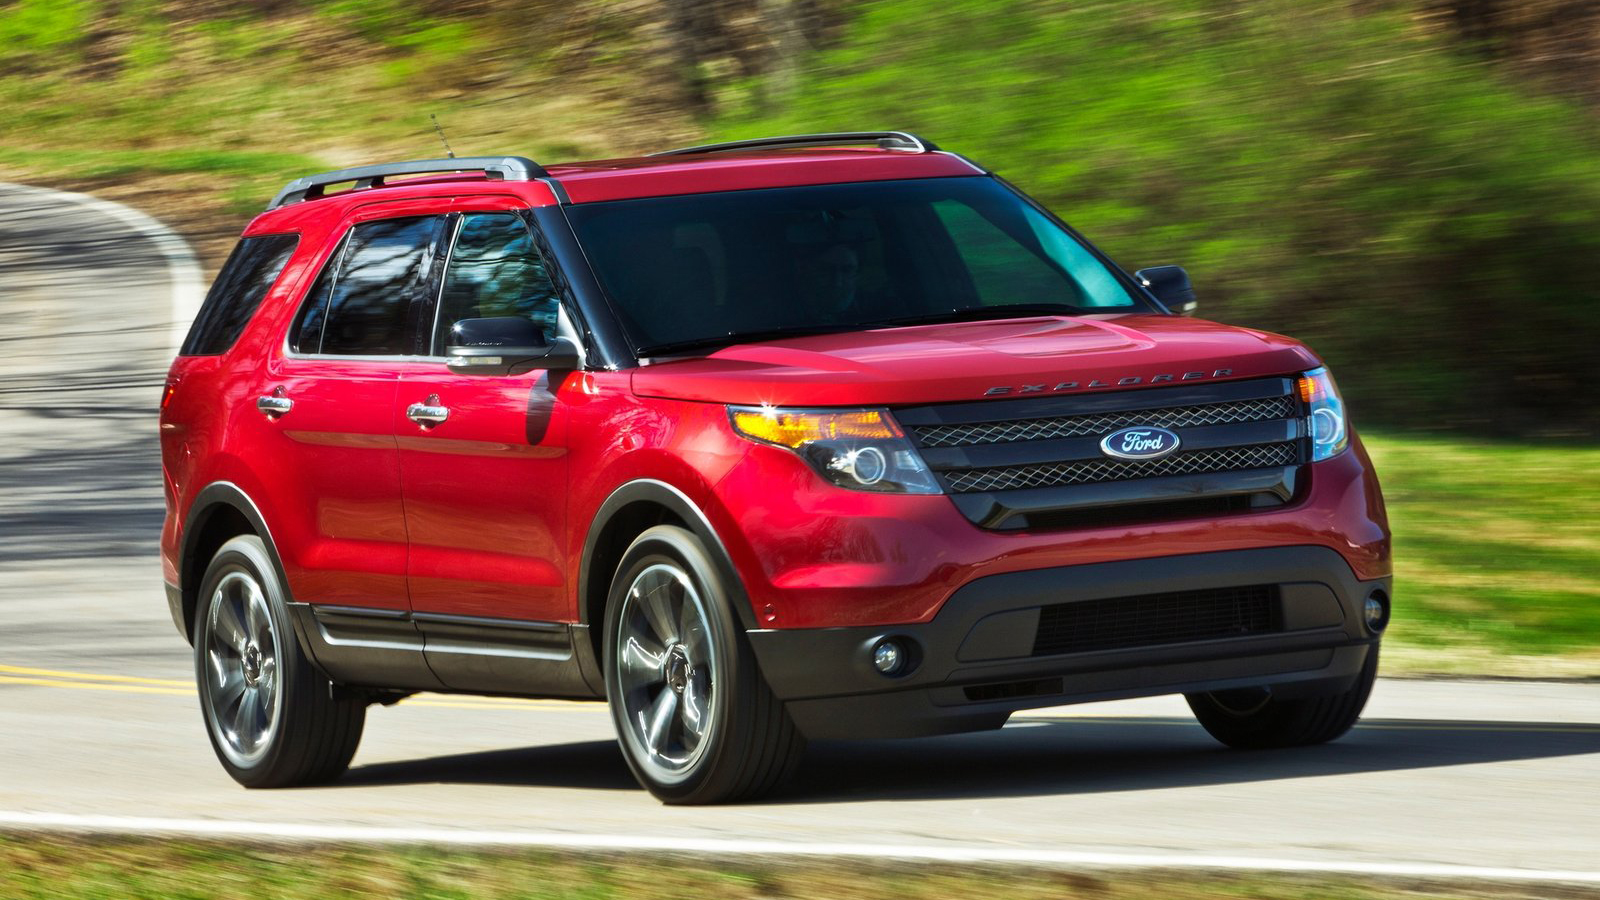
(1153, 621)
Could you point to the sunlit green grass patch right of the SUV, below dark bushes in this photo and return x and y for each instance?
(1497, 555)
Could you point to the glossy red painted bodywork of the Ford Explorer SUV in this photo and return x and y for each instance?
(473, 518)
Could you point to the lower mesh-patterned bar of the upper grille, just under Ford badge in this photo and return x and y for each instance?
(1092, 472)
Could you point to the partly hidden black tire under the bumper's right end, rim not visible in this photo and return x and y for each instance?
(1255, 720)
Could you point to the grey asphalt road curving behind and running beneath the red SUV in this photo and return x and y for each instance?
(98, 713)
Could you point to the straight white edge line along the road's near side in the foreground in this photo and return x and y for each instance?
(735, 848)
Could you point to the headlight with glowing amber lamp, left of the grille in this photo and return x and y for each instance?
(855, 449)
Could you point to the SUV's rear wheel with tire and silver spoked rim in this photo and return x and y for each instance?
(270, 713)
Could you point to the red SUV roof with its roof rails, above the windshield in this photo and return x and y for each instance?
(726, 167)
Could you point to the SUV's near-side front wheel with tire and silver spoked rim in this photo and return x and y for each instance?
(694, 717)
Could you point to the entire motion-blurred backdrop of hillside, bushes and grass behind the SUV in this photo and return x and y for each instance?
(1412, 187)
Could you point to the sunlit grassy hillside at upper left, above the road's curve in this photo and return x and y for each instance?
(199, 113)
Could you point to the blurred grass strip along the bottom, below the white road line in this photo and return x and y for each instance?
(57, 869)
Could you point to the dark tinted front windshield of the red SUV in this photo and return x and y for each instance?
(713, 268)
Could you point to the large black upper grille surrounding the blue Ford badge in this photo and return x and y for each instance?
(1038, 462)
